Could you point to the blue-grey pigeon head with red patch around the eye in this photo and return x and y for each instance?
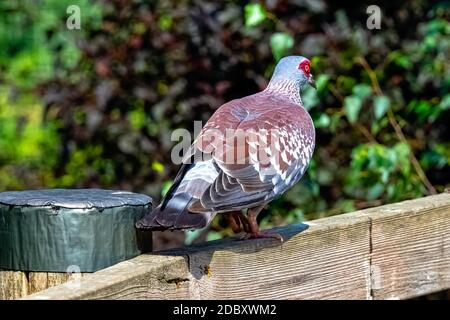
(294, 69)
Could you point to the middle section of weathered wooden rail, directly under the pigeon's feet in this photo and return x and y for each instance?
(330, 260)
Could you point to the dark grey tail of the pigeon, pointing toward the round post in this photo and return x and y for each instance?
(173, 215)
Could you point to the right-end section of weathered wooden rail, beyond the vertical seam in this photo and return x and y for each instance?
(411, 248)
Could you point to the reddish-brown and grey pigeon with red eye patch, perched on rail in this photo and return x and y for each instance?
(250, 151)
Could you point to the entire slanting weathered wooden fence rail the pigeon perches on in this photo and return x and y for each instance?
(394, 251)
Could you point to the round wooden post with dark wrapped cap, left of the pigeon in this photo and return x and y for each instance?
(65, 231)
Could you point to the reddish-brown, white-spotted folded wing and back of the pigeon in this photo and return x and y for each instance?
(261, 149)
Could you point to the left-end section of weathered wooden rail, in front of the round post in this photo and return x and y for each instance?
(144, 277)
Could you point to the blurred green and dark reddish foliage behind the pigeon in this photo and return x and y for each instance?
(95, 106)
